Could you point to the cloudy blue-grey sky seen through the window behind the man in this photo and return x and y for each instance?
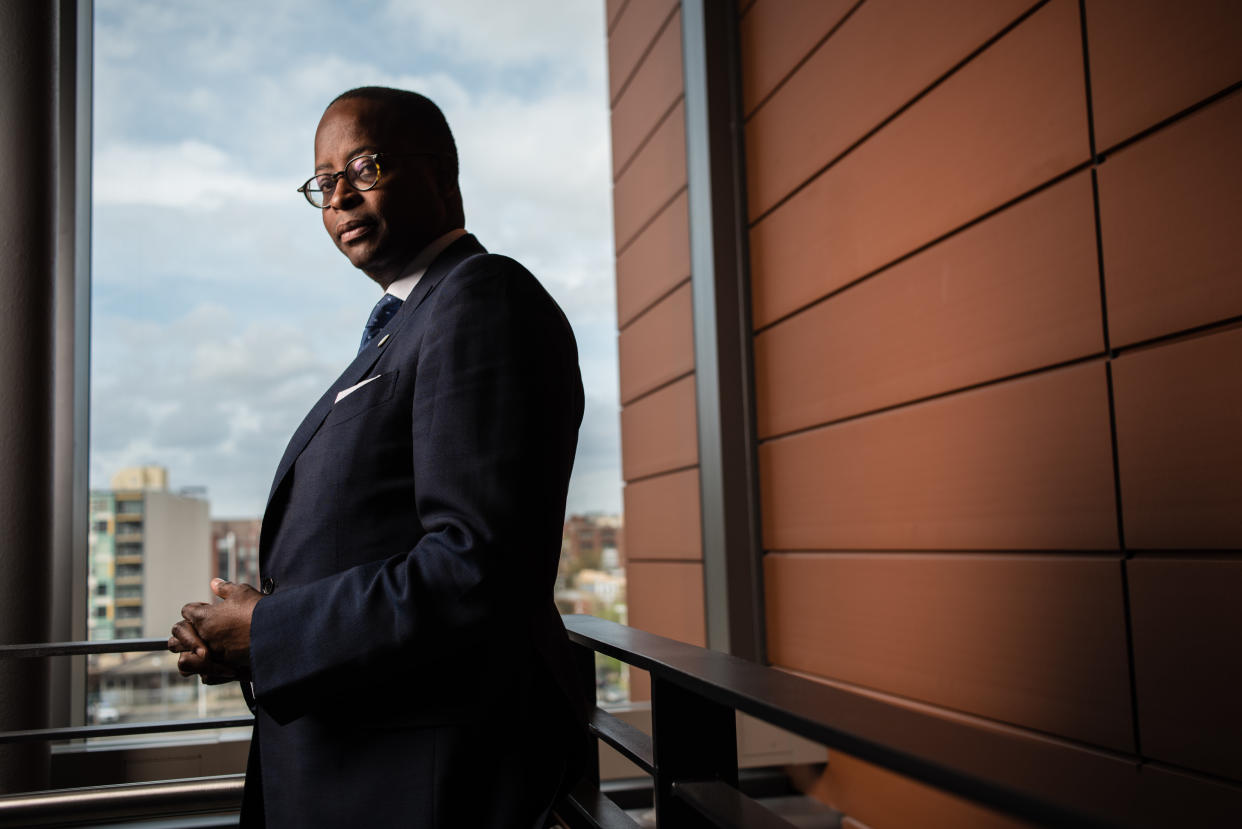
(220, 308)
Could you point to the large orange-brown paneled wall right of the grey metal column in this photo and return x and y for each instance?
(997, 295)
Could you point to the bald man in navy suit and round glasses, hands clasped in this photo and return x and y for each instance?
(404, 654)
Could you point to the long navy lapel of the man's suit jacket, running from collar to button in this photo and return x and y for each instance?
(463, 249)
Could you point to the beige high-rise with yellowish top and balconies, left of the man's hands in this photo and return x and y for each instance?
(146, 555)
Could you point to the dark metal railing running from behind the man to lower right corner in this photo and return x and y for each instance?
(692, 751)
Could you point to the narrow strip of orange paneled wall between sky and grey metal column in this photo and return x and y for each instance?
(656, 340)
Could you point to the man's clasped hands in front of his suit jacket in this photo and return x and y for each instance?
(214, 639)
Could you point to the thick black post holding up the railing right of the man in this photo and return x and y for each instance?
(695, 740)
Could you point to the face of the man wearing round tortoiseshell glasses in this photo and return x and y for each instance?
(382, 229)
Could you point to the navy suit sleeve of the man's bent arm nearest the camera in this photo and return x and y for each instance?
(495, 416)
